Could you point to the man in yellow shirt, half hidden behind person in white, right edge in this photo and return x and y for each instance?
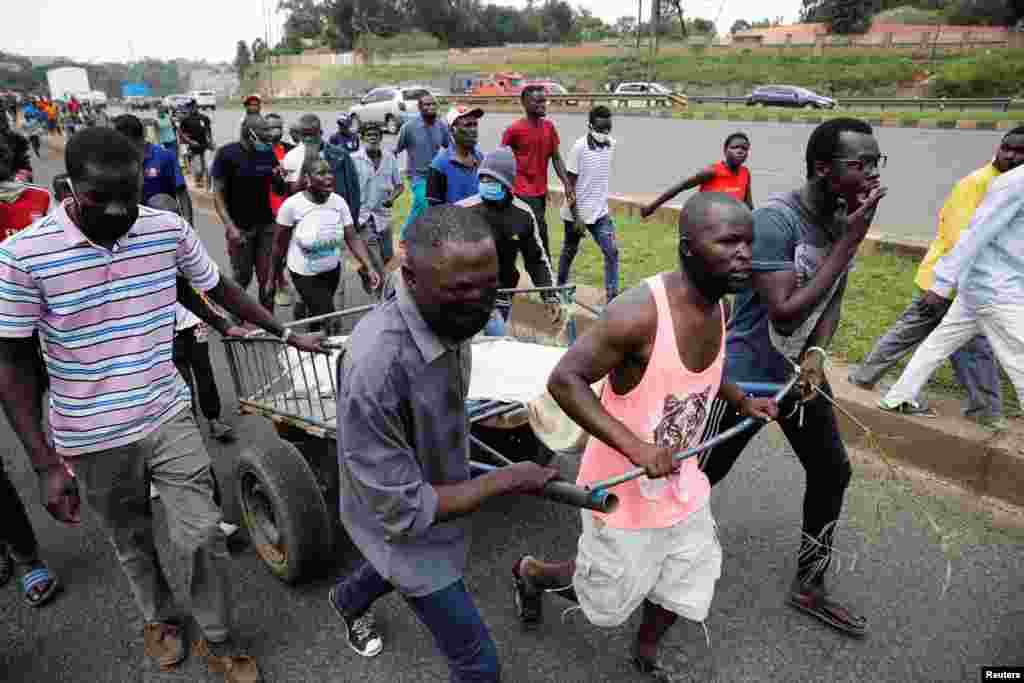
(974, 364)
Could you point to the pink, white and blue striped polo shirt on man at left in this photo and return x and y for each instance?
(106, 321)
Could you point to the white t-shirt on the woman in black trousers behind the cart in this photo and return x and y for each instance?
(319, 239)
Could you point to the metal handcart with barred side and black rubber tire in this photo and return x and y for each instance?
(288, 489)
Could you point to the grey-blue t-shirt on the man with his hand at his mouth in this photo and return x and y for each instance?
(787, 237)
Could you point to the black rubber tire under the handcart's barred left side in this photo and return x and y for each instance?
(283, 509)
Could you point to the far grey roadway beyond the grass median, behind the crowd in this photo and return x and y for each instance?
(654, 154)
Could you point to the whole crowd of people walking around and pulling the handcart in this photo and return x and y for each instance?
(111, 283)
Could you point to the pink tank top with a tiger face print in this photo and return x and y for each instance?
(669, 407)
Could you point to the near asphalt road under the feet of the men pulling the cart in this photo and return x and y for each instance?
(93, 631)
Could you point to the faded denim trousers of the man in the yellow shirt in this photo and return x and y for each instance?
(974, 363)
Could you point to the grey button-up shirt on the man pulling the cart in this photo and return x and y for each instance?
(403, 430)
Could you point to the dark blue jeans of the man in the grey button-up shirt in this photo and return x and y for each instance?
(450, 615)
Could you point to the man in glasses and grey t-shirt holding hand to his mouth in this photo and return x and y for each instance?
(804, 244)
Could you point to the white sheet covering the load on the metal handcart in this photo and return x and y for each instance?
(503, 370)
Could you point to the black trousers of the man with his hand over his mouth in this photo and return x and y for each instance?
(820, 449)
